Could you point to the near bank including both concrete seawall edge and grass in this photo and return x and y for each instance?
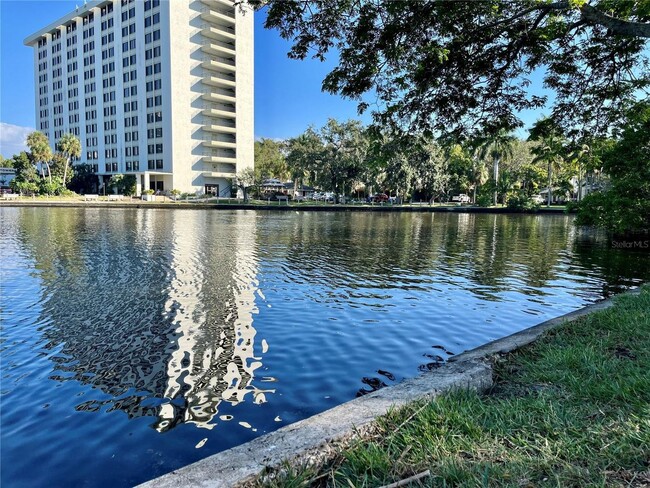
(570, 409)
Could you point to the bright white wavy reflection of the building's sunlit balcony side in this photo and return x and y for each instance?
(214, 359)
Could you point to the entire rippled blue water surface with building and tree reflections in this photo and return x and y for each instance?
(137, 341)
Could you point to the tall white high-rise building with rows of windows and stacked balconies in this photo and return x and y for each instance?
(162, 90)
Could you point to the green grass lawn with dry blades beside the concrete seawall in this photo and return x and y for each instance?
(571, 410)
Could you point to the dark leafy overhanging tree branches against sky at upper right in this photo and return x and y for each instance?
(463, 65)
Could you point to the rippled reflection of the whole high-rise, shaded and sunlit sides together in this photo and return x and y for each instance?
(128, 309)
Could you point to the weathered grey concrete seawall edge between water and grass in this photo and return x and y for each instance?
(315, 439)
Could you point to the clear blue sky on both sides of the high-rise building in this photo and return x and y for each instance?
(288, 95)
